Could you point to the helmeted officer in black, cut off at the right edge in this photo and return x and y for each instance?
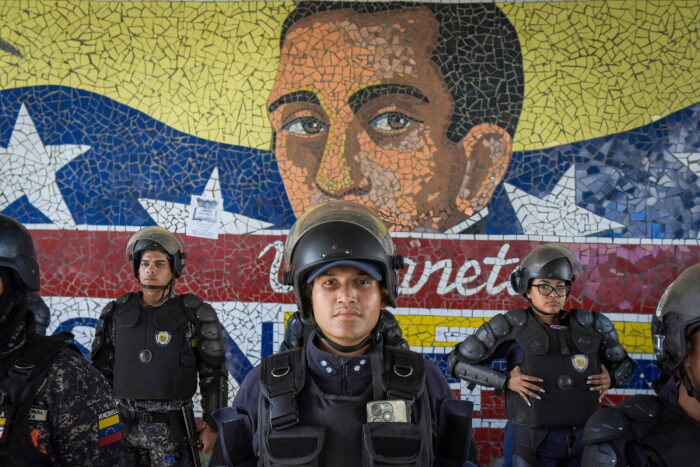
(662, 430)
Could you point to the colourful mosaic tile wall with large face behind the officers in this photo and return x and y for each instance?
(478, 131)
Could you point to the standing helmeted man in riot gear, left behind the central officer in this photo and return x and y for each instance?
(151, 346)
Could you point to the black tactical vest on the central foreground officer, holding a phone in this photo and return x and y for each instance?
(302, 426)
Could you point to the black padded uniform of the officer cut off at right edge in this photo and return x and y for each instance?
(643, 431)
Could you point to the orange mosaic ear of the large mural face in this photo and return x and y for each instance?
(487, 148)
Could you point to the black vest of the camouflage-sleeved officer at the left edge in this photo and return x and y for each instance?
(20, 386)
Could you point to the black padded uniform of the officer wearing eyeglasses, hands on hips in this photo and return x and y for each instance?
(563, 355)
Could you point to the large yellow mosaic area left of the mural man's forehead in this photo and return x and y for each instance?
(203, 68)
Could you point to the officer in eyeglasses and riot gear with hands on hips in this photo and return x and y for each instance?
(559, 363)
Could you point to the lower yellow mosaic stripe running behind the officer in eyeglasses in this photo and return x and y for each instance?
(420, 331)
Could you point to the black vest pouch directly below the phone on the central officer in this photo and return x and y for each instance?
(391, 443)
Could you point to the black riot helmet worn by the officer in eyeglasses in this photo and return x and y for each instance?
(550, 261)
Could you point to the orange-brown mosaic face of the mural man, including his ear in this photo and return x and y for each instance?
(367, 121)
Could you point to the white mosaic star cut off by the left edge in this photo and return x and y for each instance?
(29, 169)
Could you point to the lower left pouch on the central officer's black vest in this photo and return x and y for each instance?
(295, 446)
